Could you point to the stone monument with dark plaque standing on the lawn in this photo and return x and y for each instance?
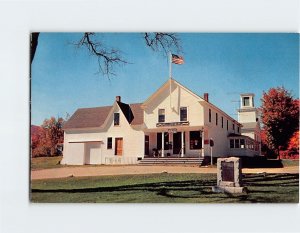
(229, 176)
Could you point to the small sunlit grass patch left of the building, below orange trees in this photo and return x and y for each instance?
(45, 162)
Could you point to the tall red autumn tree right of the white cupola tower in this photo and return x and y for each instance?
(280, 114)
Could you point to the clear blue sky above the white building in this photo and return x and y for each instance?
(65, 78)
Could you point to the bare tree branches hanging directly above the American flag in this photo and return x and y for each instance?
(162, 42)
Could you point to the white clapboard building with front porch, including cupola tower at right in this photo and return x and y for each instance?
(172, 122)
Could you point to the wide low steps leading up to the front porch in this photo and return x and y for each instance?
(171, 161)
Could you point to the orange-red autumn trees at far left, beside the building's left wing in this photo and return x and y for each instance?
(47, 138)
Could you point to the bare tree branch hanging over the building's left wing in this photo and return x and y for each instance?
(107, 58)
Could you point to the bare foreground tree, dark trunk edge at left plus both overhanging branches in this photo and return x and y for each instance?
(109, 57)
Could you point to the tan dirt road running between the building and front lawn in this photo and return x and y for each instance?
(125, 170)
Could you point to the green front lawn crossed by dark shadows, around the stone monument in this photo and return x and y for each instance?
(165, 188)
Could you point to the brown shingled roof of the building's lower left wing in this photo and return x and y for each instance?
(95, 117)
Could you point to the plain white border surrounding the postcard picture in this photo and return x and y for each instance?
(18, 18)
